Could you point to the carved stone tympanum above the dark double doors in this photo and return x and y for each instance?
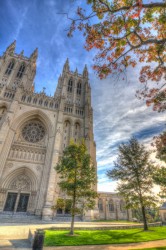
(21, 183)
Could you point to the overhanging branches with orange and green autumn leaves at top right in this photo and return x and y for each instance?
(123, 33)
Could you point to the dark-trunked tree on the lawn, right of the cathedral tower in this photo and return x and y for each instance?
(134, 171)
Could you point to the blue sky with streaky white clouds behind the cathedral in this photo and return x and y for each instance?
(118, 114)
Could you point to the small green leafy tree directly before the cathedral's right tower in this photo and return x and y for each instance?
(77, 178)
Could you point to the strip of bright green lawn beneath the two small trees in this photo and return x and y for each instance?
(99, 237)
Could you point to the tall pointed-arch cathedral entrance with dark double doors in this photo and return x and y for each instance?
(21, 191)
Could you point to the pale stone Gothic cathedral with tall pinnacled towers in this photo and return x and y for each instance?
(34, 130)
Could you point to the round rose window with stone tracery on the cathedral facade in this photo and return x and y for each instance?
(33, 131)
